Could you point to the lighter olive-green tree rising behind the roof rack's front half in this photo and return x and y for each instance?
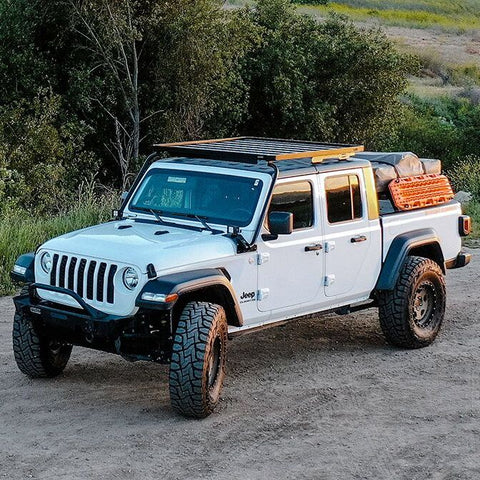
(194, 68)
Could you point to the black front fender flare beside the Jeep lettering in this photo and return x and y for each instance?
(185, 284)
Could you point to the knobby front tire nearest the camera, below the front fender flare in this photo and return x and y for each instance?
(197, 368)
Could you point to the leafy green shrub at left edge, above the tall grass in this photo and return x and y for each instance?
(42, 155)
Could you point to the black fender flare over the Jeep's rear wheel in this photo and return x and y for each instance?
(401, 247)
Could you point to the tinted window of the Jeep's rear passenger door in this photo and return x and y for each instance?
(344, 202)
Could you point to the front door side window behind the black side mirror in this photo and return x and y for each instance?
(296, 198)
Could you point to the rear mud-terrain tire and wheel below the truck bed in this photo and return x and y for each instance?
(411, 315)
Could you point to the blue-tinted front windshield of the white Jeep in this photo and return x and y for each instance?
(223, 199)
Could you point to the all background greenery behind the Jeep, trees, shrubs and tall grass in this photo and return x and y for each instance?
(87, 86)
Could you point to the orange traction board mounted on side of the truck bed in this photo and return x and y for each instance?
(420, 191)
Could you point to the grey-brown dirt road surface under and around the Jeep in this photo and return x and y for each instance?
(316, 399)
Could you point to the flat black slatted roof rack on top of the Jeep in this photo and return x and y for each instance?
(255, 149)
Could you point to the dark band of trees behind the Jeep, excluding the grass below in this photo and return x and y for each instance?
(124, 75)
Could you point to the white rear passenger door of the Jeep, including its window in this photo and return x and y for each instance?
(352, 239)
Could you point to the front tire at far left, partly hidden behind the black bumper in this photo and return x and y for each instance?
(37, 356)
